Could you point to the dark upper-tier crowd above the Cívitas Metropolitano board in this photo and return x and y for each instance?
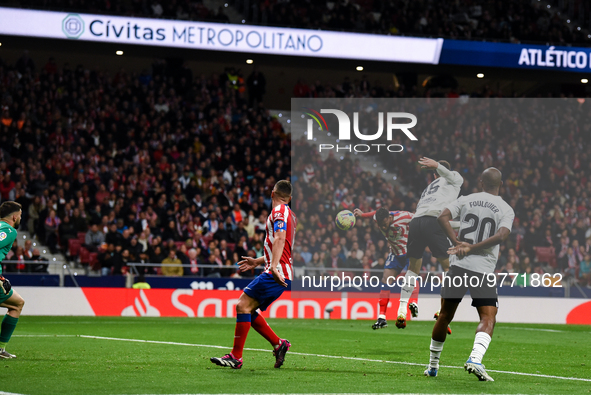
(514, 20)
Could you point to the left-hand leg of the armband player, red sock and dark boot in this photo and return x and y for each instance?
(246, 305)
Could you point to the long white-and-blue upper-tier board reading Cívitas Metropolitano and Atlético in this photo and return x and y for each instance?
(288, 42)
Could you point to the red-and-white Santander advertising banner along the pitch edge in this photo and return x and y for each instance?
(218, 303)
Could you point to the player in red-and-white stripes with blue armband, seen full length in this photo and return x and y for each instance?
(269, 286)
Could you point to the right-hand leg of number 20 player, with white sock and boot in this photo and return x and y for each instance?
(482, 340)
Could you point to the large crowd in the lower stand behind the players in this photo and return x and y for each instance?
(168, 168)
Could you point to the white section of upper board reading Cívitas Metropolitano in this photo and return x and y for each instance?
(218, 37)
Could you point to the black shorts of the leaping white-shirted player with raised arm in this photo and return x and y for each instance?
(426, 232)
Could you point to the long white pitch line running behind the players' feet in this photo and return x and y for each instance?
(330, 356)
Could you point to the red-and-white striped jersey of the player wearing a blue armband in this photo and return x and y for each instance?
(281, 219)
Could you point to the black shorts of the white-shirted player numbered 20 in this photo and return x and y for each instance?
(482, 289)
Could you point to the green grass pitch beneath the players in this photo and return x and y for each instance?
(73, 364)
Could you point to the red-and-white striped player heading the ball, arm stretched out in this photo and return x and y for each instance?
(394, 226)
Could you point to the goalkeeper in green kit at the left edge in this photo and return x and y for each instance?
(10, 219)
